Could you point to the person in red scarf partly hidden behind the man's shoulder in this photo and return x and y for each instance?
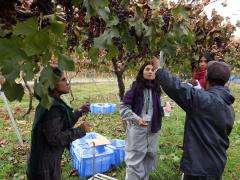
(200, 71)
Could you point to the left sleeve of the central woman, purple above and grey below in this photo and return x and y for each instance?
(126, 112)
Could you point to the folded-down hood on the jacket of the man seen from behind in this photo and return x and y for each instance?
(224, 93)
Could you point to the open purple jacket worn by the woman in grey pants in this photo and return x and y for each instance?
(136, 101)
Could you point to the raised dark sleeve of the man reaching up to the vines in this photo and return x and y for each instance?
(181, 93)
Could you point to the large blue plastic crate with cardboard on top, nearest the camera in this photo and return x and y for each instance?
(82, 153)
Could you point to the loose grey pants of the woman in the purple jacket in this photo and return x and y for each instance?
(141, 151)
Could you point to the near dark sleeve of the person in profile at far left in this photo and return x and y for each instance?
(52, 129)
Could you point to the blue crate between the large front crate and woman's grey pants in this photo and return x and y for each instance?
(118, 146)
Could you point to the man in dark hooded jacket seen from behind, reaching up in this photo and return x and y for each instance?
(209, 120)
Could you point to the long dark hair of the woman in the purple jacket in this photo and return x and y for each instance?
(140, 83)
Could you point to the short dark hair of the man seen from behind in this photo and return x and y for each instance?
(218, 73)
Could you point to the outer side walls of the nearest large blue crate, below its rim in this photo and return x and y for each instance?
(83, 160)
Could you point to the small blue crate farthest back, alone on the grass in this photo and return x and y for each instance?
(103, 108)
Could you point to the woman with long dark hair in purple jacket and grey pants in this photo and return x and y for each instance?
(141, 110)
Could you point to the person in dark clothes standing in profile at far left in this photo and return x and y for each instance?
(52, 132)
